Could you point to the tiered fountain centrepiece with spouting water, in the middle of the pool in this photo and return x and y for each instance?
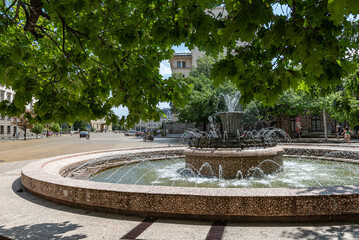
(235, 151)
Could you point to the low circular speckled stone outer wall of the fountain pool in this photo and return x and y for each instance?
(45, 178)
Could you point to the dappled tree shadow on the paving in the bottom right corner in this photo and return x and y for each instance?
(324, 233)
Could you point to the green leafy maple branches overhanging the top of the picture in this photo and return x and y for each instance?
(79, 59)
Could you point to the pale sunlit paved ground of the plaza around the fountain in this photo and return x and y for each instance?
(25, 216)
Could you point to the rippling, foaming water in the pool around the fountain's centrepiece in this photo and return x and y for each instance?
(296, 173)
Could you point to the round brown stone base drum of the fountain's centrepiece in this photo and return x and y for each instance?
(229, 163)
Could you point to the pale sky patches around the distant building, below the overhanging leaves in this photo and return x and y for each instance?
(165, 71)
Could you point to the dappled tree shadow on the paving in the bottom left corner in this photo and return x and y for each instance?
(42, 231)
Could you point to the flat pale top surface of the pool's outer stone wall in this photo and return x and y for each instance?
(48, 170)
